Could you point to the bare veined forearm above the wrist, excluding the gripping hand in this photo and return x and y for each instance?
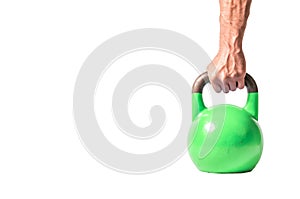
(233, 20)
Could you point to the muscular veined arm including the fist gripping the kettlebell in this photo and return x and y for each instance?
(228, 68)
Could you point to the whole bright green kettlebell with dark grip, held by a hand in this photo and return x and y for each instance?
(225, 138)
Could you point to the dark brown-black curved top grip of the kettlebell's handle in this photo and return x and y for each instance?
(203, 79)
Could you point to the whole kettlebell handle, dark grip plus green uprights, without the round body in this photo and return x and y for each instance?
(198, 103)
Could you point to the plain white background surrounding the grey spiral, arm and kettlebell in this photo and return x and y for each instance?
(42, 47)
